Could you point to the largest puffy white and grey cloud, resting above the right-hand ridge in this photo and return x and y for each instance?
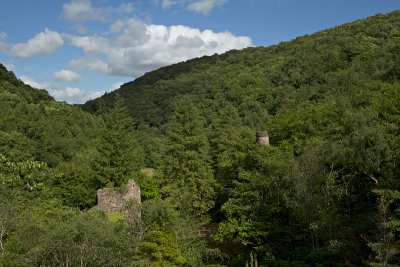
(135, 47)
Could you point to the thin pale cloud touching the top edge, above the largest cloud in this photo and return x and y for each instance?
(83, 10)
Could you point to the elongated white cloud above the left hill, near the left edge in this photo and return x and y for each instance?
(42, 43)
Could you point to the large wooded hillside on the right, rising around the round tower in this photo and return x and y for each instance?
(326, 190)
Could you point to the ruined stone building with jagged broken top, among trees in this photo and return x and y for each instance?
(112, 200)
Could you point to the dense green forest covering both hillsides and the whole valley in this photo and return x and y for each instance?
(325, 192)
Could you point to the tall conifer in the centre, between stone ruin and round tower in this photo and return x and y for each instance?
(187, 166)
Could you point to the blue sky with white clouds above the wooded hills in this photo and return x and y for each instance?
(79, 49)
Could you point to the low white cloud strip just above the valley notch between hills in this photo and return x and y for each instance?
(72, 95)
